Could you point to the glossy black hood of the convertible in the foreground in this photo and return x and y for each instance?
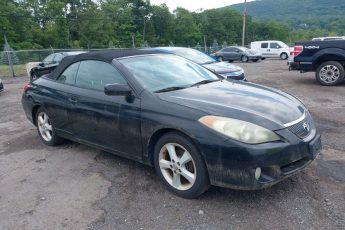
(250, 102)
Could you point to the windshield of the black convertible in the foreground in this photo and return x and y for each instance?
(159, 73)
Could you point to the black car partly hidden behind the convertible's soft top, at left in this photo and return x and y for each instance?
(49, 64)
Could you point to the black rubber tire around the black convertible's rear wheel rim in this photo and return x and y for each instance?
(55, 139)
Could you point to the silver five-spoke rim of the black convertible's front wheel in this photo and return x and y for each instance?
(177, 166)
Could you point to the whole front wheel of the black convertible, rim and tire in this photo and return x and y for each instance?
(180, 166)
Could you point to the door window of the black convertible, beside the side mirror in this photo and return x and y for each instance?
(96, 74)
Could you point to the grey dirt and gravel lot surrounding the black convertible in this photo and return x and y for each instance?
(77, 187)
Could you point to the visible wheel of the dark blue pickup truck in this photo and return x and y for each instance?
(330, 73)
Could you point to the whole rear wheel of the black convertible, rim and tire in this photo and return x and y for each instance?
(45, 128)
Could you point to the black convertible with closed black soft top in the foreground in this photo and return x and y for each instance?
(194, 127)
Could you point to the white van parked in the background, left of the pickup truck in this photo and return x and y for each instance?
(271, 49)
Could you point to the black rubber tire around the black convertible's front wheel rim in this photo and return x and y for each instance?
(201, 182)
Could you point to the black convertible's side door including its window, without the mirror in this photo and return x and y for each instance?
(111, 122)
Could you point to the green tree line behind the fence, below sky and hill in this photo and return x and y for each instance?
(36, 24)
